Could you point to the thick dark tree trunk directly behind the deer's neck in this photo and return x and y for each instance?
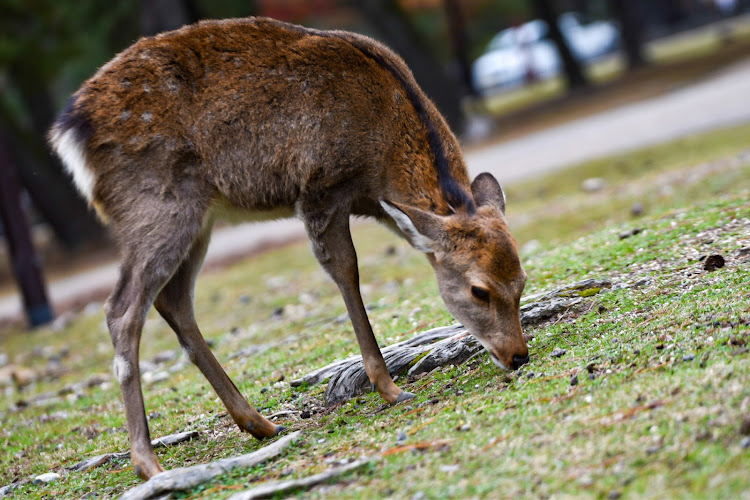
(388, 20)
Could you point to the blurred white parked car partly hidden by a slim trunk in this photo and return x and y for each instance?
(525, 52)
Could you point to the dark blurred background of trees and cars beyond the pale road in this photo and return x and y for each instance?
(497, 69)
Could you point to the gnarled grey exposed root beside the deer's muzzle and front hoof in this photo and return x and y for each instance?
(441, 346)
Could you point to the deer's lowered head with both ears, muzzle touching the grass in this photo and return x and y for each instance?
(478, 268)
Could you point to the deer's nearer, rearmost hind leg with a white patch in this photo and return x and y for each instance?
(154, 239)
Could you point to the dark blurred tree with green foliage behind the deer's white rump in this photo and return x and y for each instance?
(43, 43)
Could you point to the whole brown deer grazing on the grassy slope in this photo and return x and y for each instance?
(270, 119)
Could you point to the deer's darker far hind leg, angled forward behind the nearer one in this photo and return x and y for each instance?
(175, 304)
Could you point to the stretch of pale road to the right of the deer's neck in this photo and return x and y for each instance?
(719, 101)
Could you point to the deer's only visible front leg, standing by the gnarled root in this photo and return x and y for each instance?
(334, 249)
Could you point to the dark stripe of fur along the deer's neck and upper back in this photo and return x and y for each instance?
(453, 192)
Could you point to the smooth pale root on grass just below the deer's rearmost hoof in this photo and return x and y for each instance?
(185, 478)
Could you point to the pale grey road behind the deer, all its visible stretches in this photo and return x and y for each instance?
(717, 101)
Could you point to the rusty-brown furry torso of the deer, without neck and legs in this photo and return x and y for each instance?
(256, 110)
